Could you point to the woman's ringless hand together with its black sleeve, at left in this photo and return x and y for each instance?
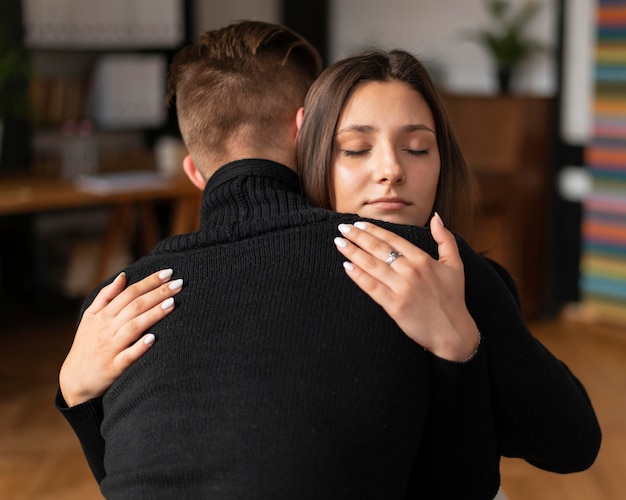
(110, 337)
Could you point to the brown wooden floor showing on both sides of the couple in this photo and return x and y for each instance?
(41, 459)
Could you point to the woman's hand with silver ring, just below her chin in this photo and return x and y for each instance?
(424, 296)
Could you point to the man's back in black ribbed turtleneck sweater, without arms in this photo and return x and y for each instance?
(275, 377)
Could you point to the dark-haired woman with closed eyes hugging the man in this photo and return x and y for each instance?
(375, 141)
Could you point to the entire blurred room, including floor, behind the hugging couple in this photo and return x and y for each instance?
(90, 167)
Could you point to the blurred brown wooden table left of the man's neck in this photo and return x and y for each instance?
(29, 195)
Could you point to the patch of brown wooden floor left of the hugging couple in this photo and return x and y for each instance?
(40, 458)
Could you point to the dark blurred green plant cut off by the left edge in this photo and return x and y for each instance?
(14, 69)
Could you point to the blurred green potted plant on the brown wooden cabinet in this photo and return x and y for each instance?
(505, 40)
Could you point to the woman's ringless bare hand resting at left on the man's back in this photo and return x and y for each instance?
(108, 339)
